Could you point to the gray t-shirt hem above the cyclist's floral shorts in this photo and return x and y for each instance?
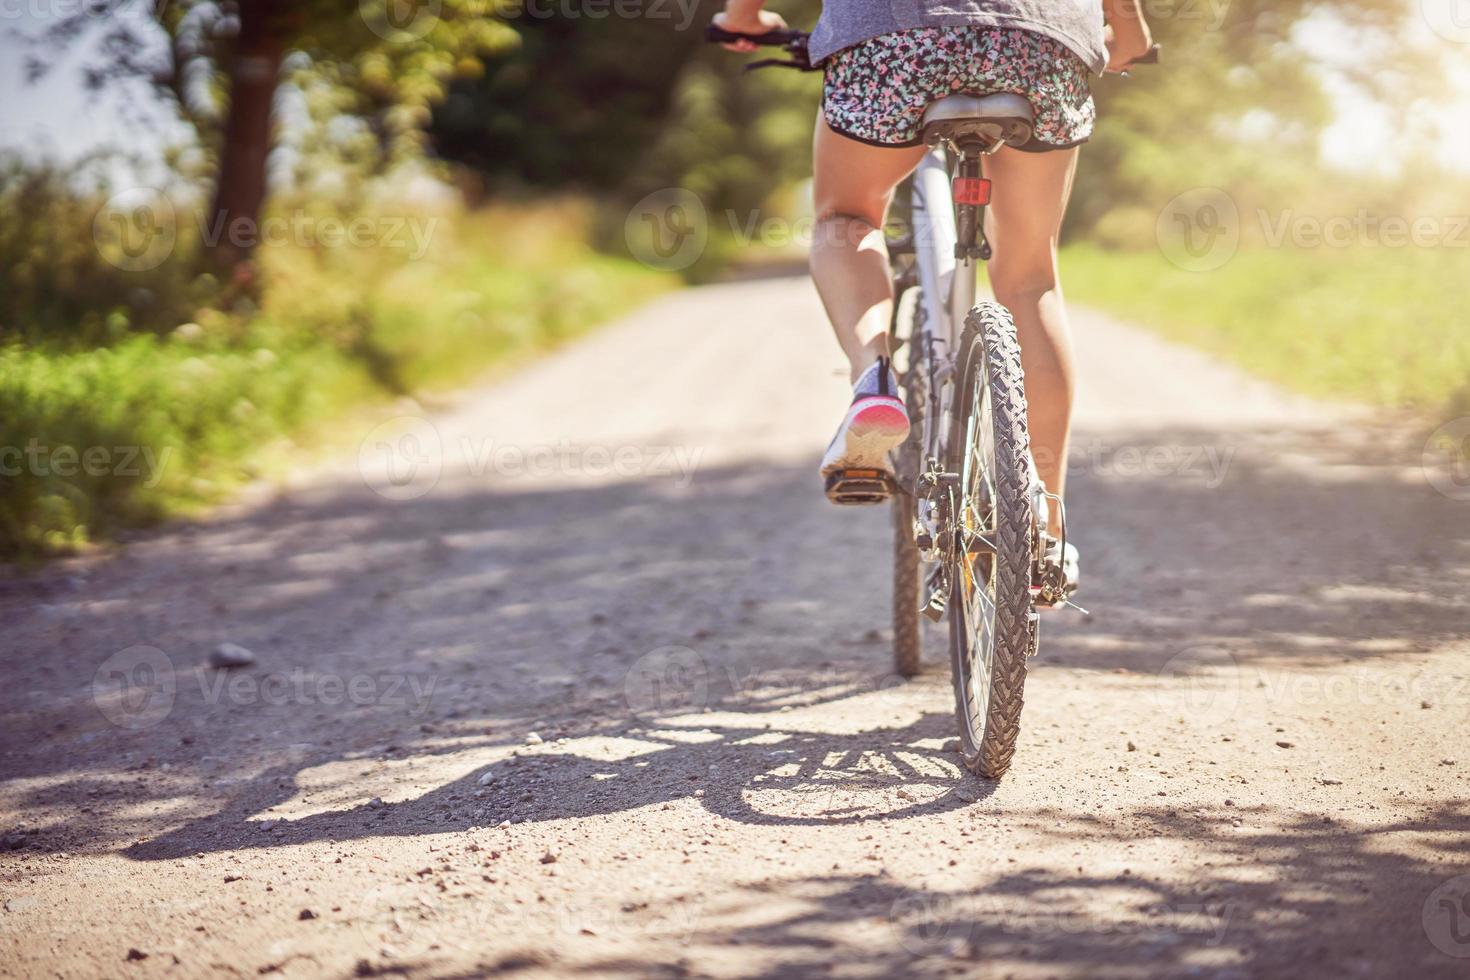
(1078, 24)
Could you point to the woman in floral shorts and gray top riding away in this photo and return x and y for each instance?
(884, 62)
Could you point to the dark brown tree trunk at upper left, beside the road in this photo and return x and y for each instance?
(234, 220)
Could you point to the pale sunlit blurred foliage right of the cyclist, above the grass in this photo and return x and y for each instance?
(1240, 104)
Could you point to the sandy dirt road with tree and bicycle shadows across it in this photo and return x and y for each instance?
(584, 678)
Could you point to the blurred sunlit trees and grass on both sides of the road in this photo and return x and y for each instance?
(227, 226)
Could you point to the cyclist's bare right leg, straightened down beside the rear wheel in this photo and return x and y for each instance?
(1024, 223)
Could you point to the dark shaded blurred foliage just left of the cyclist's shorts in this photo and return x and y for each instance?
(633, 105)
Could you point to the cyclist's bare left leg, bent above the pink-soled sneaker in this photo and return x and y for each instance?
(853, 187)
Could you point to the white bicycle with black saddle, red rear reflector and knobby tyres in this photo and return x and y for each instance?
(972, 544)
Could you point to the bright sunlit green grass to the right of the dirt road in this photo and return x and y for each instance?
(1375, 325)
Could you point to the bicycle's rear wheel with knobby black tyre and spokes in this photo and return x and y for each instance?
(992, 616)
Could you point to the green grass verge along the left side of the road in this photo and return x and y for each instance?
(95, 440)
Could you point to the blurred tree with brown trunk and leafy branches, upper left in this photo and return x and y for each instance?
(224, 62)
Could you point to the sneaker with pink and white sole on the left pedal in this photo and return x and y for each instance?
(856, 468)
